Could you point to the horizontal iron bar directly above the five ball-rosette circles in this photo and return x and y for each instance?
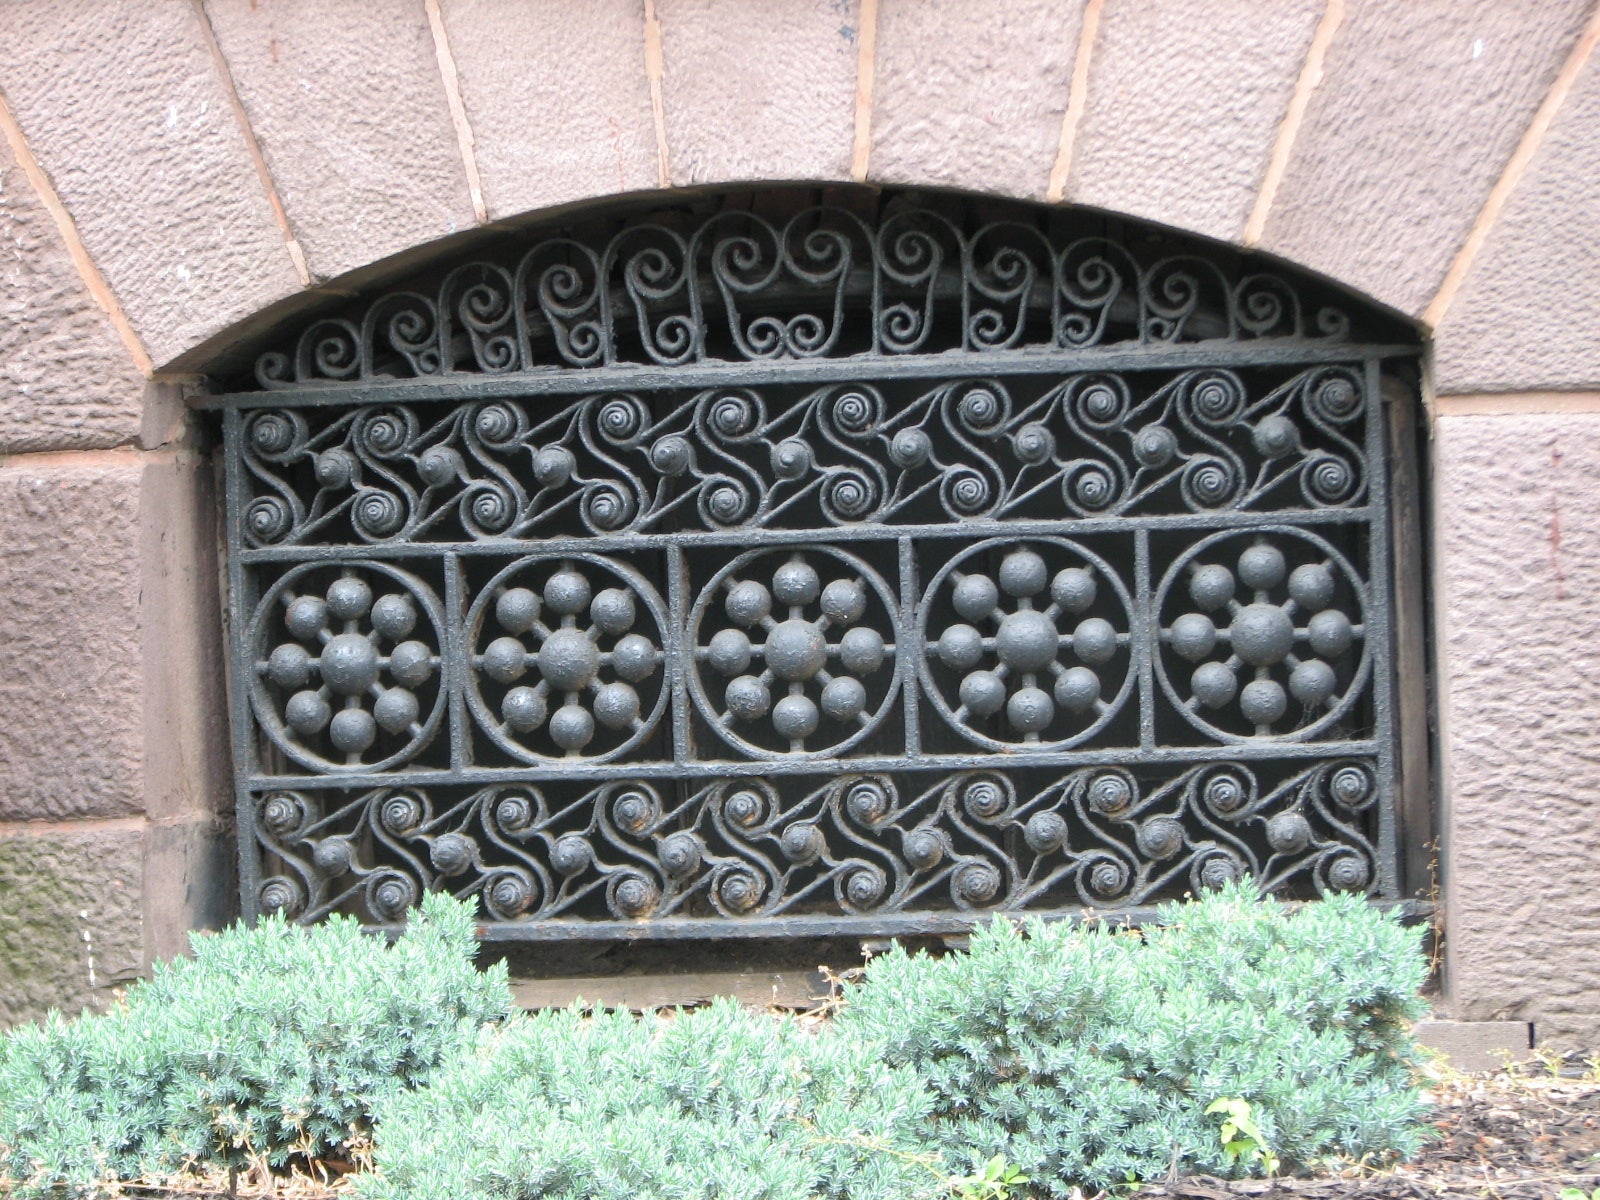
(1058, 527)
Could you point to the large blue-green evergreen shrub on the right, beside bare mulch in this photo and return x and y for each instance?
(1090, 1057)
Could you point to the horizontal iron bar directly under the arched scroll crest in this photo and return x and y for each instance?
(855, 369)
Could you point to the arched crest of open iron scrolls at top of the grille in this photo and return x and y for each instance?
(826, 282)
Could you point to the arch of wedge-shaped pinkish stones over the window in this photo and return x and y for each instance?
(1250, 129)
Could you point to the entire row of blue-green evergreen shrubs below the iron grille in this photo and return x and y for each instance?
(1054, 1055)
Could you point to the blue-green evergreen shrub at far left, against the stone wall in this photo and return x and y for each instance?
(271, 1041)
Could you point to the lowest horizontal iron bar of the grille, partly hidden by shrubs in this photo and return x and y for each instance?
(866, 926)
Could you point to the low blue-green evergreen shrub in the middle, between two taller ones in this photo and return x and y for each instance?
(609, 1106)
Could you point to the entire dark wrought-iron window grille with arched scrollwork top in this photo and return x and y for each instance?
(863, 572)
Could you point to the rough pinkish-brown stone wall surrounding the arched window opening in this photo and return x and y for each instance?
(174, 174)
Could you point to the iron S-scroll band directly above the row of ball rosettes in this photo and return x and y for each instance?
(748, 458)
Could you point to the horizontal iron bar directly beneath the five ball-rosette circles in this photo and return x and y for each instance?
(585, 774)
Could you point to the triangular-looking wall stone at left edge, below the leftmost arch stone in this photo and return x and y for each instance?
(66, 380)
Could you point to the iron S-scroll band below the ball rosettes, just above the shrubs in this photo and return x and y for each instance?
(855, 844)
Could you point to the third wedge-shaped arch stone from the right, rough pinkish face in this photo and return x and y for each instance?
(972, 95)
